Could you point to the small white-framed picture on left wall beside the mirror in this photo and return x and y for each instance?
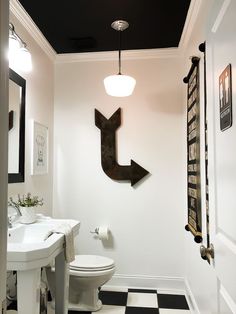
(39, 158)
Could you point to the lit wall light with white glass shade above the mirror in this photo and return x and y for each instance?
(19, 55)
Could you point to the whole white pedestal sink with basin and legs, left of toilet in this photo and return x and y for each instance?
(31, 247)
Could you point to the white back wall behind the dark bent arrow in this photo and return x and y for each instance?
(147, 221)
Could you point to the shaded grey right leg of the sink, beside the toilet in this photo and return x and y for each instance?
(62, 284)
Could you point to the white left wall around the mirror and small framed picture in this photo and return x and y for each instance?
(39, 106)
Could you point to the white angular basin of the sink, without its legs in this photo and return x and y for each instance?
(34, 245)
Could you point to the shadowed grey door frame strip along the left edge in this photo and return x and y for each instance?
(4, 78)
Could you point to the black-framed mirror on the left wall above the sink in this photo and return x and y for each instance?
(16, 133)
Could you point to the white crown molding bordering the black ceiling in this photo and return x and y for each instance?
(23, 17)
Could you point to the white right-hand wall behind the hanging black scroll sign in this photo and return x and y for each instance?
(200, 276)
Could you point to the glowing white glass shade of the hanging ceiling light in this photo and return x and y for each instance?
(119, 85)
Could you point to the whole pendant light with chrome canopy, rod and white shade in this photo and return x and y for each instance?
(119, 85)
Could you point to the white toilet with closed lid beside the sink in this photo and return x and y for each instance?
(87, 274)
